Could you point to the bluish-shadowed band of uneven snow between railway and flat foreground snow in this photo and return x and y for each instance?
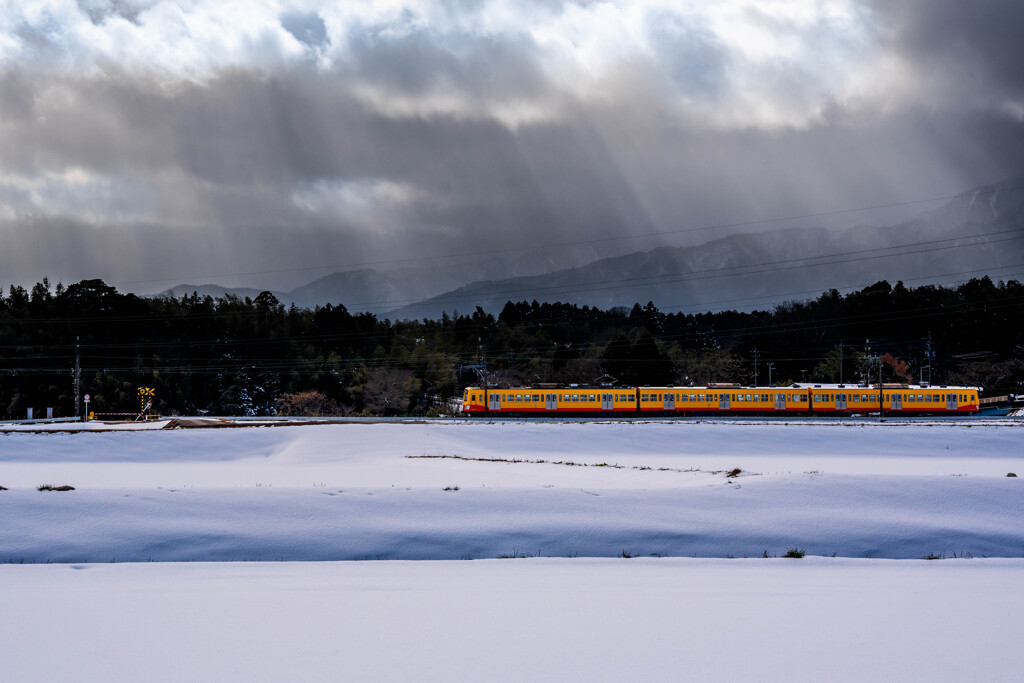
(343, 492)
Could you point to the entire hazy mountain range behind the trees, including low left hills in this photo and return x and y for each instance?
(977, 231)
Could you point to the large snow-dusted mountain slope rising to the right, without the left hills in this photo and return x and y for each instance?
(982, 233)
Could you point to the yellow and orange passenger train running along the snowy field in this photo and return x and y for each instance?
(834, 400)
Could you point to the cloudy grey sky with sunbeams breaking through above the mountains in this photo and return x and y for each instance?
(156, 143)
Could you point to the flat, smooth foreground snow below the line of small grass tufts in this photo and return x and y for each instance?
(547, 620)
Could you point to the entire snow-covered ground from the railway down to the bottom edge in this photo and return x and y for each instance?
(578, 495)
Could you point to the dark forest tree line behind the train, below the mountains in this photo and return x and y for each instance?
(233, 356)
